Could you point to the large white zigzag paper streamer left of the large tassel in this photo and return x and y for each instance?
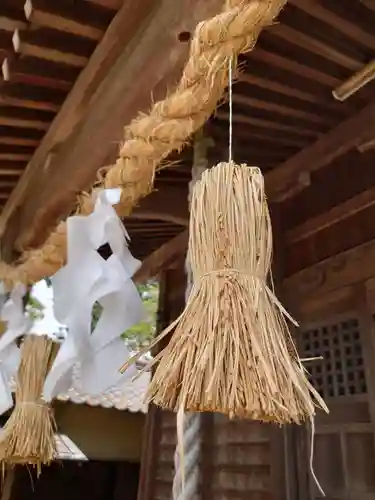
(88, 278)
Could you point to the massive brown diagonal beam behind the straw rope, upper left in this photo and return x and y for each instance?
(117, 100)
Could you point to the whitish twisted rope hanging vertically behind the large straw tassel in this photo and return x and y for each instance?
(186, 481)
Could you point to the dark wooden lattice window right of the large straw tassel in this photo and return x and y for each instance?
(341, 373)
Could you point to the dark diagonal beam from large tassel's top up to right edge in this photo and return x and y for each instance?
(322, 152)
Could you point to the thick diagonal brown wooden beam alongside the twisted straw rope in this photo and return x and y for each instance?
(116, 97)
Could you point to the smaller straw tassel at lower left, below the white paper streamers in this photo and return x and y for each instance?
(28, 436)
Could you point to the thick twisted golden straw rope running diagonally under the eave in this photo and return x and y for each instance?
(149, 139)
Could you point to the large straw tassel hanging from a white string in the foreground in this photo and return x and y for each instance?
(231, 351)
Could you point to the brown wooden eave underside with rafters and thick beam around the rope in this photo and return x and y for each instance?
(286, 120)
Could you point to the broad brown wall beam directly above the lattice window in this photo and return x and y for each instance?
(342, 270)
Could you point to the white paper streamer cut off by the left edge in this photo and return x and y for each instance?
(17, 325)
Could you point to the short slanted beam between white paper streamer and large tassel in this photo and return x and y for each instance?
(162, 257)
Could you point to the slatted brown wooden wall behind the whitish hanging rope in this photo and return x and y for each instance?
(236, 456)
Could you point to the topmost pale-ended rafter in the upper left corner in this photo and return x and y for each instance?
(89, 20)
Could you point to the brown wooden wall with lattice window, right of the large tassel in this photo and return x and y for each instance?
(329, 287)
